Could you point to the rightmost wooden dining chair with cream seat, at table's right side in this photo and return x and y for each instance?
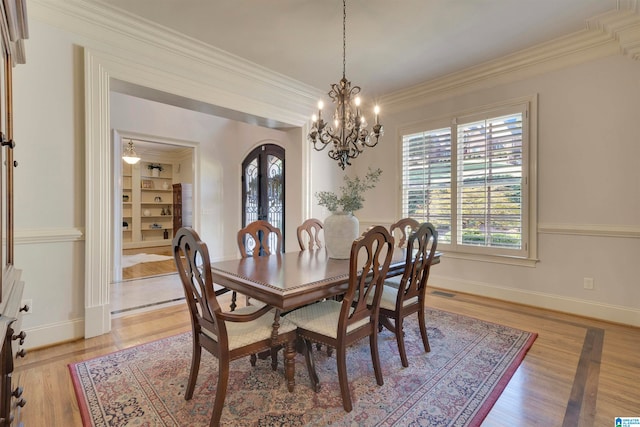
(396, 303)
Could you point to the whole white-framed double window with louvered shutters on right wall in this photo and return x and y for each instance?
(470, 179)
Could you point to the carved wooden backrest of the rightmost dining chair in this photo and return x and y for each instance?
(421, 248)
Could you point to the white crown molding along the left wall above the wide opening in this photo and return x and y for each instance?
(237, 81)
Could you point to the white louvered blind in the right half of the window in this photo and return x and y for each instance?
(490, 182)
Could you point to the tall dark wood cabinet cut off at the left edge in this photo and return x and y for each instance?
(13, 30)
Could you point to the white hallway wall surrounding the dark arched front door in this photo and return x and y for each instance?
(223, 144)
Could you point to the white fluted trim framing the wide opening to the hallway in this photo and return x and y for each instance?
(99, 68)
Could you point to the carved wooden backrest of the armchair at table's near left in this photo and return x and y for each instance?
(197, 282)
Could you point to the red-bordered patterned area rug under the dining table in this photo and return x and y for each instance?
(456, 384)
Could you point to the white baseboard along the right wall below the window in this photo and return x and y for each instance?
(607, 312)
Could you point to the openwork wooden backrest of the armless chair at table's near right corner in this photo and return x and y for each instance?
(371, 255)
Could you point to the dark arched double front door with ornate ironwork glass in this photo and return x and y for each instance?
(263, 186)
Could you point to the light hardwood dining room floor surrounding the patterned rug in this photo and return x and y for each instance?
(579, 372)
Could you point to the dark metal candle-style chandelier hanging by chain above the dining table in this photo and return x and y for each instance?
(349, 135)
